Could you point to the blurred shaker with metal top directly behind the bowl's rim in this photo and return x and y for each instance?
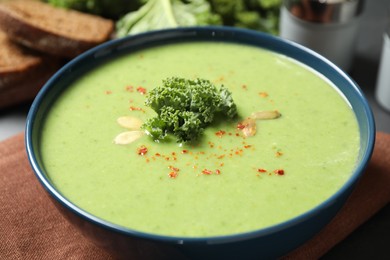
(328, 27)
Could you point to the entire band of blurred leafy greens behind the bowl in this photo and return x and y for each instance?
(135, 16)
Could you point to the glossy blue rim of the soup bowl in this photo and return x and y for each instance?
(275, 43)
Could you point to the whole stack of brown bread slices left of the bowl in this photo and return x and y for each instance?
(34, 40)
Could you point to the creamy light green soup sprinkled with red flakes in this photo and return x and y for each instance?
(223, 184)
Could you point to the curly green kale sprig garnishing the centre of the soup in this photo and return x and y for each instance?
(185, 107)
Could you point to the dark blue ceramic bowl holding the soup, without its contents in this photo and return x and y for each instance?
(268, 243)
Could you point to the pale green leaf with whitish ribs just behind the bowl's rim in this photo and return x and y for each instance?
(159, 14)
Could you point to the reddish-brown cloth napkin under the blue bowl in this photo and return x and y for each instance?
(31, 227)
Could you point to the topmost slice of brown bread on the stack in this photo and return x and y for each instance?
(56, 31)
